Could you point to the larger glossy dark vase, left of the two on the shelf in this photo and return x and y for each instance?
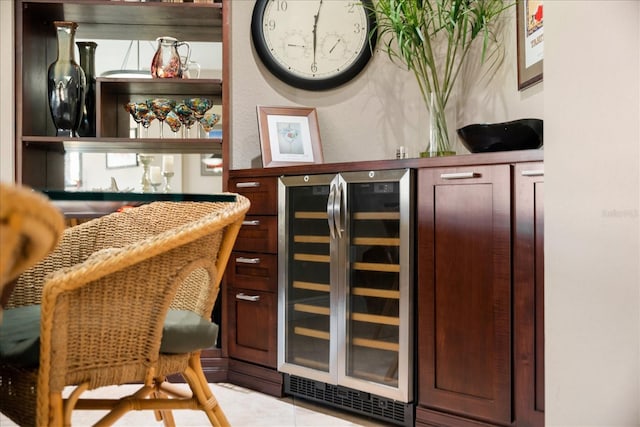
(66, 83)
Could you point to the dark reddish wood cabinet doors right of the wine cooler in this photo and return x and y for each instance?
(480, 295)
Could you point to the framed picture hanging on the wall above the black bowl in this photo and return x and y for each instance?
(530, 42)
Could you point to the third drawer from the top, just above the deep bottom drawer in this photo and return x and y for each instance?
(257, 271)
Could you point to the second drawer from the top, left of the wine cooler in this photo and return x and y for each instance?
(258, 234)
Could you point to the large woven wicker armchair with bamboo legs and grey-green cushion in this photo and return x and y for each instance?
(105, 296)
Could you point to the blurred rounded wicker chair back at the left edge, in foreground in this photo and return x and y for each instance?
(30, 227)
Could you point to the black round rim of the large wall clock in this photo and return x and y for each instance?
(283, 74)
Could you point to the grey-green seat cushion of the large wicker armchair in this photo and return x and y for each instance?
(183, 332)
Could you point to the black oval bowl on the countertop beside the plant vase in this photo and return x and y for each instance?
(523, 134)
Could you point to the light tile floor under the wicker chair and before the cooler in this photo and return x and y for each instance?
(243, 408)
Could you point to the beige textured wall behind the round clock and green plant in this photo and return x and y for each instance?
(368, 118)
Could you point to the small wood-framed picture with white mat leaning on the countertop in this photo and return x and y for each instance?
(289, 136)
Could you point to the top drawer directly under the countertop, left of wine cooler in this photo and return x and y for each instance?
(262, 192)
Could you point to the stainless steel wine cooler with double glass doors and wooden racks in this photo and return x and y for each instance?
(345, 314)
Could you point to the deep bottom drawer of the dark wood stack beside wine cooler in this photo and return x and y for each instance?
(253, 326)
